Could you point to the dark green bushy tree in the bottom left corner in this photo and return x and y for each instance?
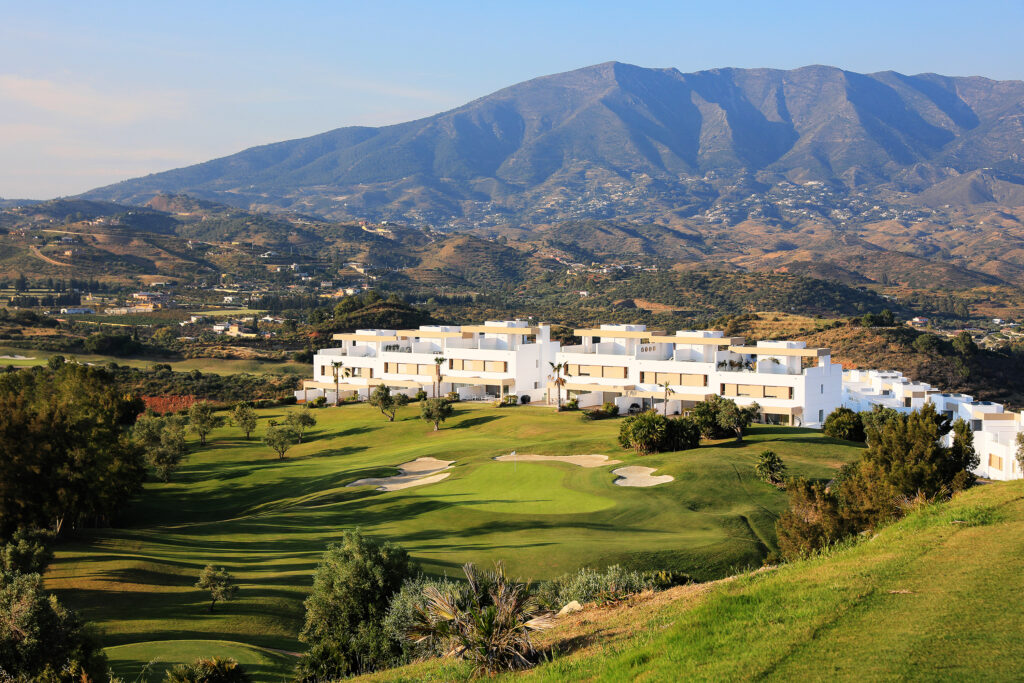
(40, 639)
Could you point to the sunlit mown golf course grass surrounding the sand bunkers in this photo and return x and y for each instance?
(268, 521)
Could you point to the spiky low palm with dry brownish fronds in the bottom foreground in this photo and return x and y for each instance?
(490, 624)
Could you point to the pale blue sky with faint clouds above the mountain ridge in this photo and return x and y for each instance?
(97, 93)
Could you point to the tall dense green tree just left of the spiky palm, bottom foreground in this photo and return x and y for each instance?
(353, 587)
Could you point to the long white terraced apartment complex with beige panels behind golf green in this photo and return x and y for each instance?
(627, 365)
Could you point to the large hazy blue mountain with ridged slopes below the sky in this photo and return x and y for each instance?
(616, 139)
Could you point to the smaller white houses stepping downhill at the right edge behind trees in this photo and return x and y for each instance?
(995, 430)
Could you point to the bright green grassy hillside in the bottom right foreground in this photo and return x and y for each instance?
(933, 597)
